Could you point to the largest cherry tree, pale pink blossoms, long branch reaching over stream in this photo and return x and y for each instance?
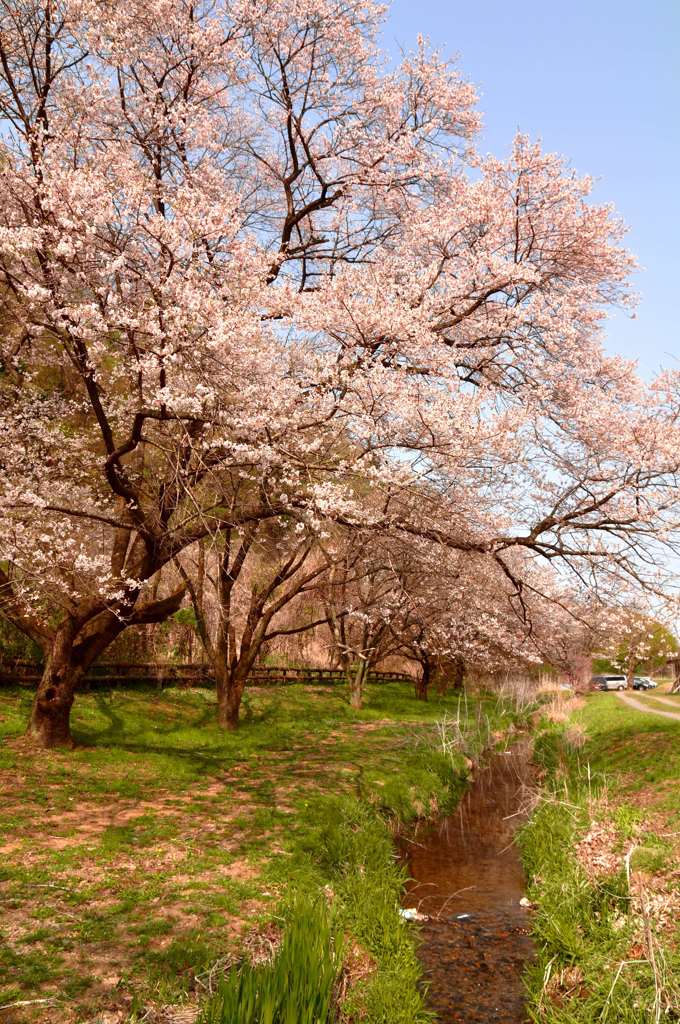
(235, 246)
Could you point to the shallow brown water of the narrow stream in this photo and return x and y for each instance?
(469, 879)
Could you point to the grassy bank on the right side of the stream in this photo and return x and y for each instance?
(603, 852)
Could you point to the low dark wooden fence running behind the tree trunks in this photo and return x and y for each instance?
(105, 675)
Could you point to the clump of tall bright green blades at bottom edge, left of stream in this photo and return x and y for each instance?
(297, 987)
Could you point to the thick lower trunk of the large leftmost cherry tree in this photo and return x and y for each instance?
(51, 719)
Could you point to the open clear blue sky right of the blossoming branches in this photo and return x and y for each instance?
(599, 82)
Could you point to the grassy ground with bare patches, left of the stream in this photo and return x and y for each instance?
(137, 862)
